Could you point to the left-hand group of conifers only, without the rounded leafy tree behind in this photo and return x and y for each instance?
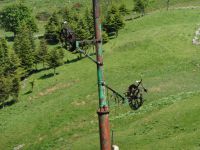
(21, 60)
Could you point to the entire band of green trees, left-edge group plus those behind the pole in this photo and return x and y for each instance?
(23, 58)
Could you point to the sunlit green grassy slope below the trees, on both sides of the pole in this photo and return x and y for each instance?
(61, 112)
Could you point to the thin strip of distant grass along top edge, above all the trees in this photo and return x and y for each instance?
(50, 5)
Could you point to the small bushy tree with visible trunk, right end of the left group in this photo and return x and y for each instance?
(54, 60)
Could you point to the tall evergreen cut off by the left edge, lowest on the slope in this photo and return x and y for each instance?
(9, 64)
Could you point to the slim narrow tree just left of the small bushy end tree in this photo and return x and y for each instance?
(43, 51)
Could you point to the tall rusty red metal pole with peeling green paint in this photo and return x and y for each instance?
(103, 111)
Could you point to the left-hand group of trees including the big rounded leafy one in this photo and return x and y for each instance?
(21, 60)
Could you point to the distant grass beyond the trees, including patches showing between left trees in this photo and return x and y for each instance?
(50, 6)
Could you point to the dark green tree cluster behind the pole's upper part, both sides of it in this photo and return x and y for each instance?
(83, 25)
